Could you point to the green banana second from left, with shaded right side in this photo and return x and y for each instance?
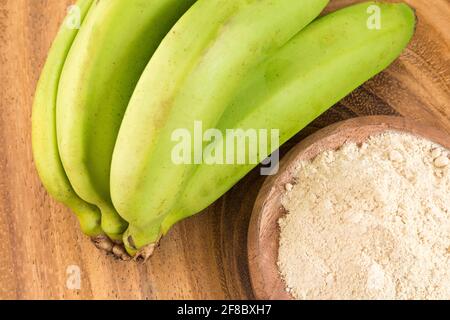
(103, 66)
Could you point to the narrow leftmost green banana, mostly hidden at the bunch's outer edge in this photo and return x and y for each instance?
(44, 141)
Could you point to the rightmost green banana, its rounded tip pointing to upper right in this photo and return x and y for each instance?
(320, 66)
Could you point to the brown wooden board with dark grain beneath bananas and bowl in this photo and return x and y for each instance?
(203, 257)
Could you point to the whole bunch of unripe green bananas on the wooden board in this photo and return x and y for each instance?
(113, 93)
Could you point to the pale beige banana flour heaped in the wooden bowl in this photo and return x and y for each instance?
(369, 222)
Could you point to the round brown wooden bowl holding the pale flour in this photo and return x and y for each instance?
(263, 236)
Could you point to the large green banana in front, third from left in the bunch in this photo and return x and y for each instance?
(192, 76)
